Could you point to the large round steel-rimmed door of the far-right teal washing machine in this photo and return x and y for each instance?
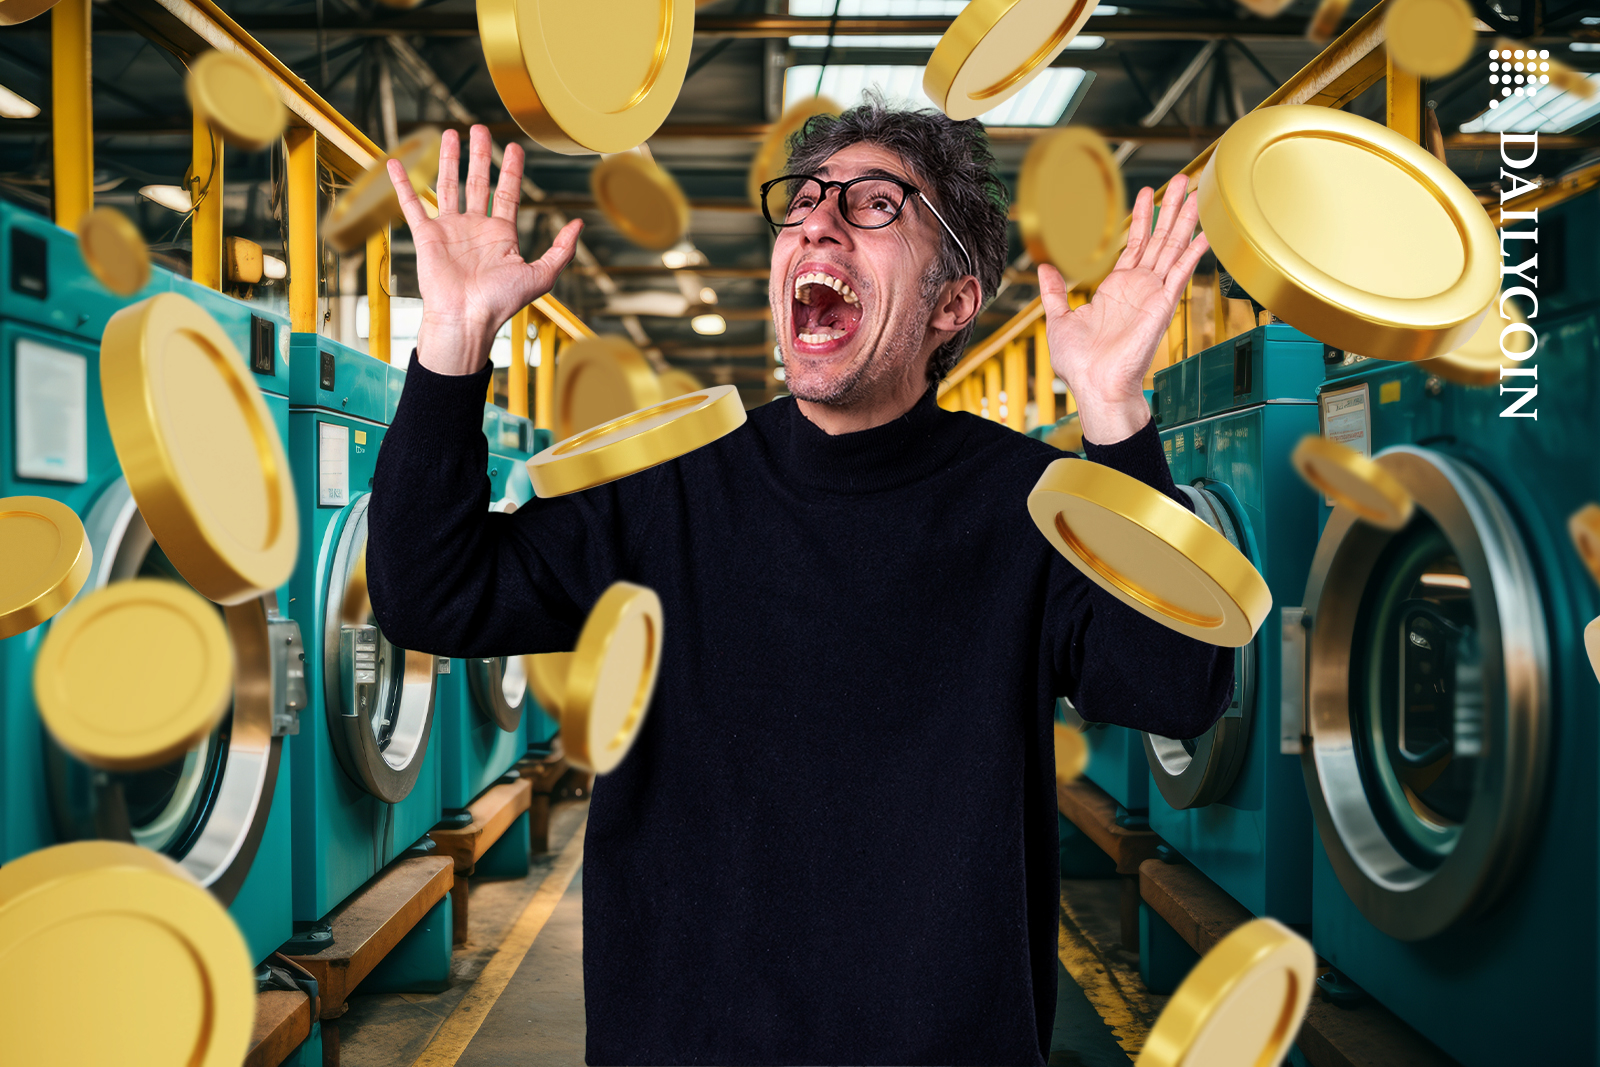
(1426, 703)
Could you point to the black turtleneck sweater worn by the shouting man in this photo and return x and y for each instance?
(834, 841)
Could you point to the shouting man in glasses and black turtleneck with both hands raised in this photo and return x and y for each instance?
(834, 841)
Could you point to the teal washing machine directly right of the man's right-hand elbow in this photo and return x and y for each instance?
(1231, 802)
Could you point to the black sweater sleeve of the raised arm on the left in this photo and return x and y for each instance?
(452, 578)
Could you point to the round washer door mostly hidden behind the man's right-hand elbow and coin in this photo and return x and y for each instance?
(1198, 772)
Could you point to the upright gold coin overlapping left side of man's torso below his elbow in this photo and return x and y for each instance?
(612, 677)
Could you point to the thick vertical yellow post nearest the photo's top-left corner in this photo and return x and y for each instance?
(73, 111)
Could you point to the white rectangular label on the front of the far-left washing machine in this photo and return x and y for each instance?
(52, 414)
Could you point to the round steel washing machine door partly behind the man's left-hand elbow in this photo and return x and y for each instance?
(380, 697)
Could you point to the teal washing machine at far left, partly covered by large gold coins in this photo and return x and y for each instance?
(218, 809)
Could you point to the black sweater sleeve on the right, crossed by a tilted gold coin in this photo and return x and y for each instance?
(1116, 665)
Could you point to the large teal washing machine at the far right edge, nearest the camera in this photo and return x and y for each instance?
(1449, 706)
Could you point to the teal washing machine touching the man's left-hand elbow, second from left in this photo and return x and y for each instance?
(367, 765)
